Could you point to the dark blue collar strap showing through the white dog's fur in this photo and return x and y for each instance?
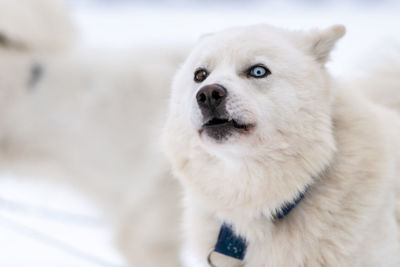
(232, 245)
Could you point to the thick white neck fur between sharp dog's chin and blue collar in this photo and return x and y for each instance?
(249, 194)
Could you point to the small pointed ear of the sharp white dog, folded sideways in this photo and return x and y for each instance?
(321, 42)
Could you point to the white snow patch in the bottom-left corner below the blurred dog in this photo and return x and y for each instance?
(42, 224)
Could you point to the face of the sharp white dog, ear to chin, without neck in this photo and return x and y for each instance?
(250, 83)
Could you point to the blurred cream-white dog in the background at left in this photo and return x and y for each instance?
(89, 120)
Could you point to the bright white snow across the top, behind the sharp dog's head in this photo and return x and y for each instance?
(368, 25)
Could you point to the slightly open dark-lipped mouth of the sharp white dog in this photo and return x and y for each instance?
(222, 128)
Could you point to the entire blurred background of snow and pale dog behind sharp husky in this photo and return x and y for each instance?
(83, 93)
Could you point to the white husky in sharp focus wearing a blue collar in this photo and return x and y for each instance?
(281, 164)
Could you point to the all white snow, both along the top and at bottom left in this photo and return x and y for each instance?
(48, 225)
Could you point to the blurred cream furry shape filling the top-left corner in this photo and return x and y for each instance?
(39, 25)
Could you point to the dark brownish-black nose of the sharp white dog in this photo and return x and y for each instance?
(211, 96)
